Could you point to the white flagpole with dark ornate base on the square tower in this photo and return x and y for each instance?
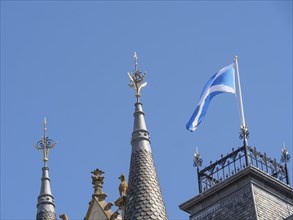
(243, 129)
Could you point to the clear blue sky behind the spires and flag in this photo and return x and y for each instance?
(68, 61)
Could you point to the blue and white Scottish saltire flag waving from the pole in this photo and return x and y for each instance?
(222, 81)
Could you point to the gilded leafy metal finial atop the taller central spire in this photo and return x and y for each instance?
(136, 79)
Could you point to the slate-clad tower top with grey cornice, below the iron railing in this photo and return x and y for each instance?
(249, 194)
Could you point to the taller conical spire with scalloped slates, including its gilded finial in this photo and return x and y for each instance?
(144, 198)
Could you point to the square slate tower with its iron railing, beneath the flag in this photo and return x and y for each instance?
(245, 184)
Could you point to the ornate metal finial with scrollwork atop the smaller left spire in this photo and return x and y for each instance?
(45, 144)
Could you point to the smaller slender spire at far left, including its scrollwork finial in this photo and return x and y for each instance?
(46, 205)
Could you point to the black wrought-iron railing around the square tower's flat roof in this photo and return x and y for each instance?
(236, 161)
